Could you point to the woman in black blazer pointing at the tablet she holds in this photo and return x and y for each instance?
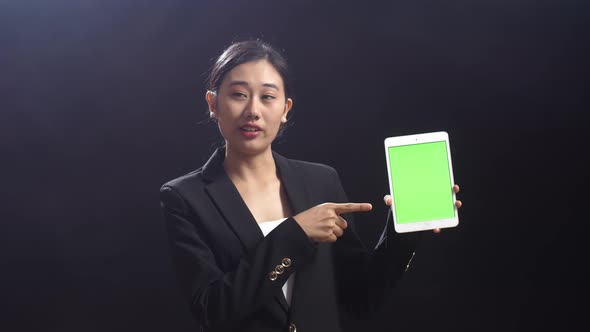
(261, 242)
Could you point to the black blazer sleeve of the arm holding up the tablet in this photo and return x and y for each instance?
(366, 276)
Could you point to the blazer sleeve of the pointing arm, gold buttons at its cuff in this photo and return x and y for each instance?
(219, 298)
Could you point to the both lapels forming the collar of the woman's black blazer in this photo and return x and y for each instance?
(227, 198)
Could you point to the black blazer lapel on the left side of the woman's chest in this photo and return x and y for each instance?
(227, 198)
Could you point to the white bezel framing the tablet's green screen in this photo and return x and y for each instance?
(405, 140)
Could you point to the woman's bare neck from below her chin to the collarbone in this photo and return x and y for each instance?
(249, 168)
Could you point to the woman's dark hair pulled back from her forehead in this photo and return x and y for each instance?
(246, 51)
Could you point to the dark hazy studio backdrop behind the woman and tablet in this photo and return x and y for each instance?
(103, 101)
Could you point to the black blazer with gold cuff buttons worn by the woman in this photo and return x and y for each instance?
(231, 275)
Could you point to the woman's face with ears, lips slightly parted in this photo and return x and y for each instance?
(250, 106)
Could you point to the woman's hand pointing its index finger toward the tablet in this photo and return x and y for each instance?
(323, 223)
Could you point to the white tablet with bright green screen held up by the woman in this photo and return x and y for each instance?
(421, 181)
